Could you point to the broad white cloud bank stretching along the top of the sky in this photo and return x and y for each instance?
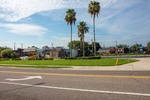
(14, 10)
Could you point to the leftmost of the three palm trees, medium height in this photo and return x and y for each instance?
(70, 18)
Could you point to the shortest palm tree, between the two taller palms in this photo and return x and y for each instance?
(82, 29)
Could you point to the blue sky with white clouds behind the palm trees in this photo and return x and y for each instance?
(41, 22)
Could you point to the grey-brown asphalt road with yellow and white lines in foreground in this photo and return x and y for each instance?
(59, 84)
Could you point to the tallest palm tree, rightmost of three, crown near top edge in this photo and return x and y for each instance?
(94, 9)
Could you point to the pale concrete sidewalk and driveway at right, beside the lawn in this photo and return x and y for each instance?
(143, 64)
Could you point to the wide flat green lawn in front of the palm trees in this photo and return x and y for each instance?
(85, 62)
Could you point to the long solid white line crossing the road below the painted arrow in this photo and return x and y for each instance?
(75, 89)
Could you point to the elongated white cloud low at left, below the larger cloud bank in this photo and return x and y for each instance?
(25, 29)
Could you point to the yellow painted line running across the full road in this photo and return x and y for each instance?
(115, 76)
